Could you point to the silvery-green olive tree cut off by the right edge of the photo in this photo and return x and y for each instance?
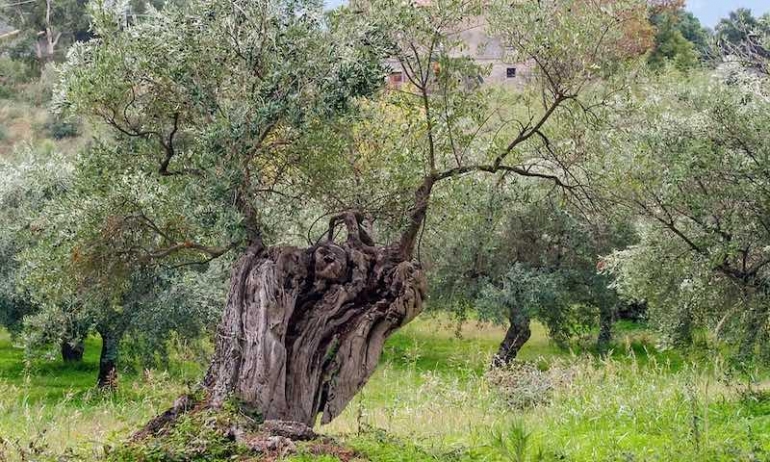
(697, 174)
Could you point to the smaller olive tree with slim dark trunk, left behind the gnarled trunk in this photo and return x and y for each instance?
(67, 273)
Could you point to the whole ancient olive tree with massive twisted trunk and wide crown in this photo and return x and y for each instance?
(232, 123)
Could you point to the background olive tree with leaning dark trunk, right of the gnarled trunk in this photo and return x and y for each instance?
(534, 260)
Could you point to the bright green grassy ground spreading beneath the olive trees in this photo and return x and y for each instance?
(433, 399)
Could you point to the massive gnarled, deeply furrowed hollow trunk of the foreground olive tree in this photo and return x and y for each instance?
(303, 329)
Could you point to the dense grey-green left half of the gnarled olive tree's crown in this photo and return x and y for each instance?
(205, 129)
